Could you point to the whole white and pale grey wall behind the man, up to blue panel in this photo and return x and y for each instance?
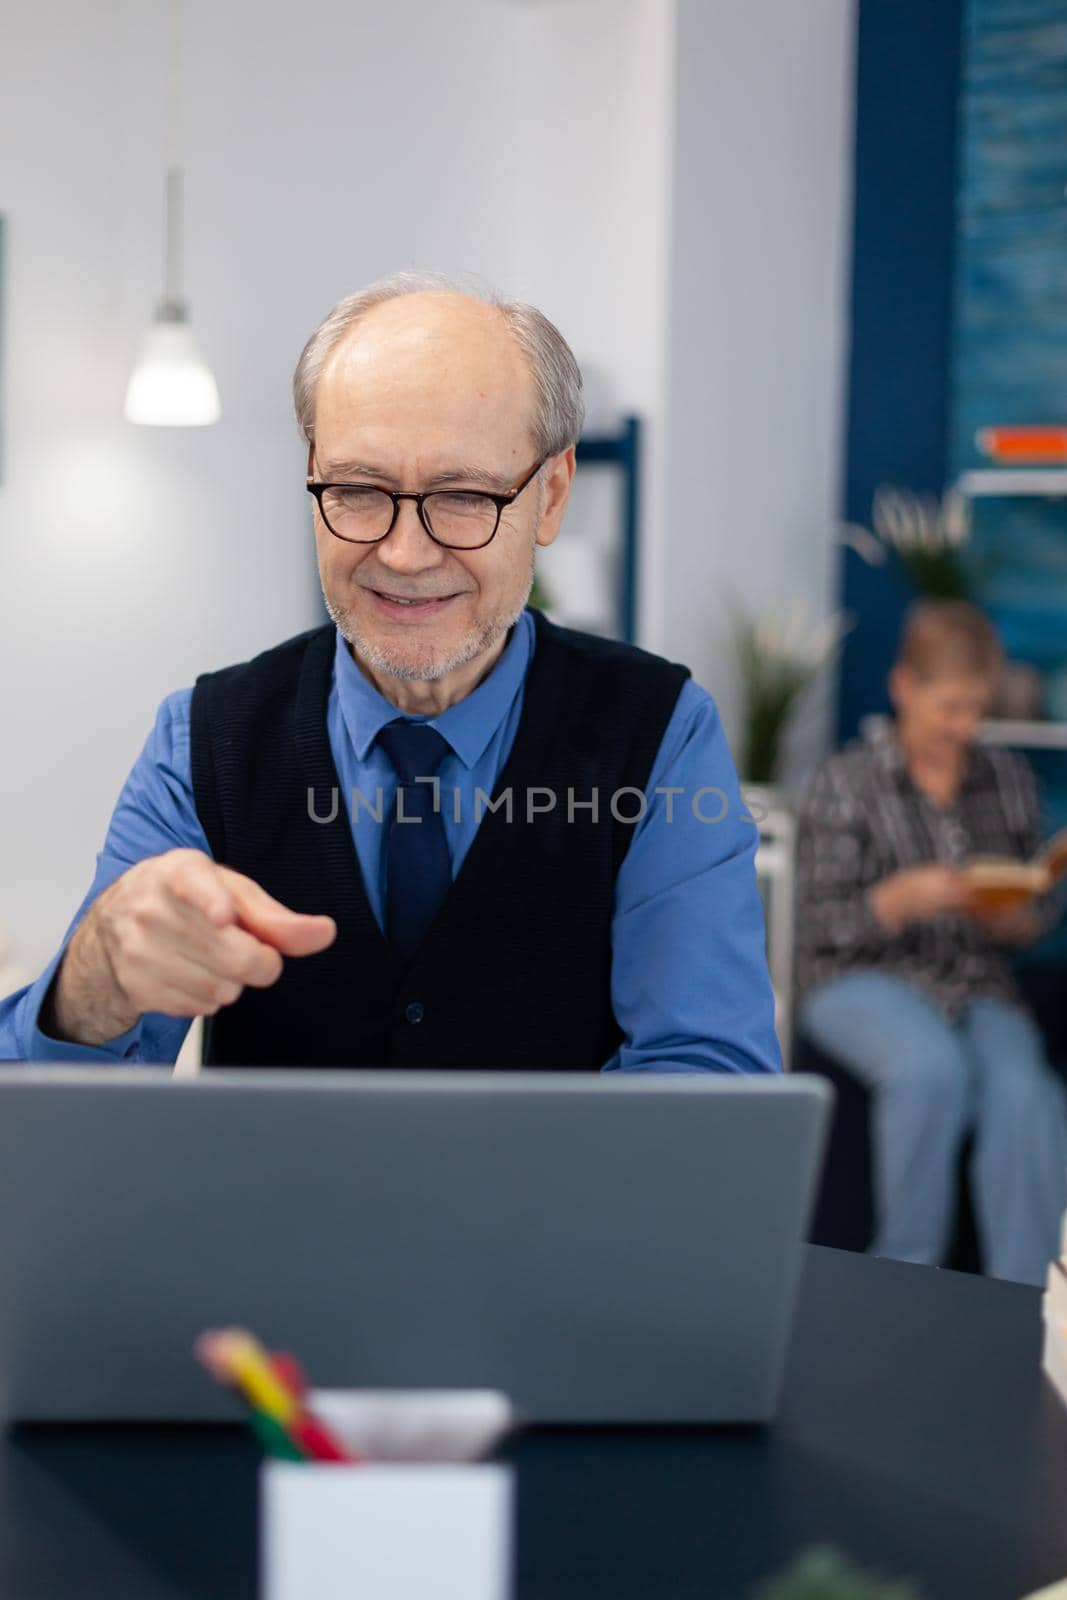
(612, 159)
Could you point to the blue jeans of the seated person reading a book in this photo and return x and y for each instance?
(933, 1081)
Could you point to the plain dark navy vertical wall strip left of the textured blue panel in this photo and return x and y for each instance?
(908, 81)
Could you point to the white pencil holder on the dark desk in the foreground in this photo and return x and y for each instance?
(420, 1516)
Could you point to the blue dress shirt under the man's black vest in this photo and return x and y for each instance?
(689, 978)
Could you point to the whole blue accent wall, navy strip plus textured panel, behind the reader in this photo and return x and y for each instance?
(961, 313)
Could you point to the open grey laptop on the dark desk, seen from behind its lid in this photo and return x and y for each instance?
(601, 1249)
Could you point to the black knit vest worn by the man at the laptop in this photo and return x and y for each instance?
(516, 969)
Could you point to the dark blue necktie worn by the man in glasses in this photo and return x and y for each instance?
(418, 871)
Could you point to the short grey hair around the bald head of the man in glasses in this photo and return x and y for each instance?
(559, 412)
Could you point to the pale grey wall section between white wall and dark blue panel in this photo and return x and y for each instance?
(757, 318)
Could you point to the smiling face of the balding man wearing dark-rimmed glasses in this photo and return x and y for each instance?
(431, 391)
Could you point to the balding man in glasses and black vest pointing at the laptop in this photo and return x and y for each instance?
(441, 833)
